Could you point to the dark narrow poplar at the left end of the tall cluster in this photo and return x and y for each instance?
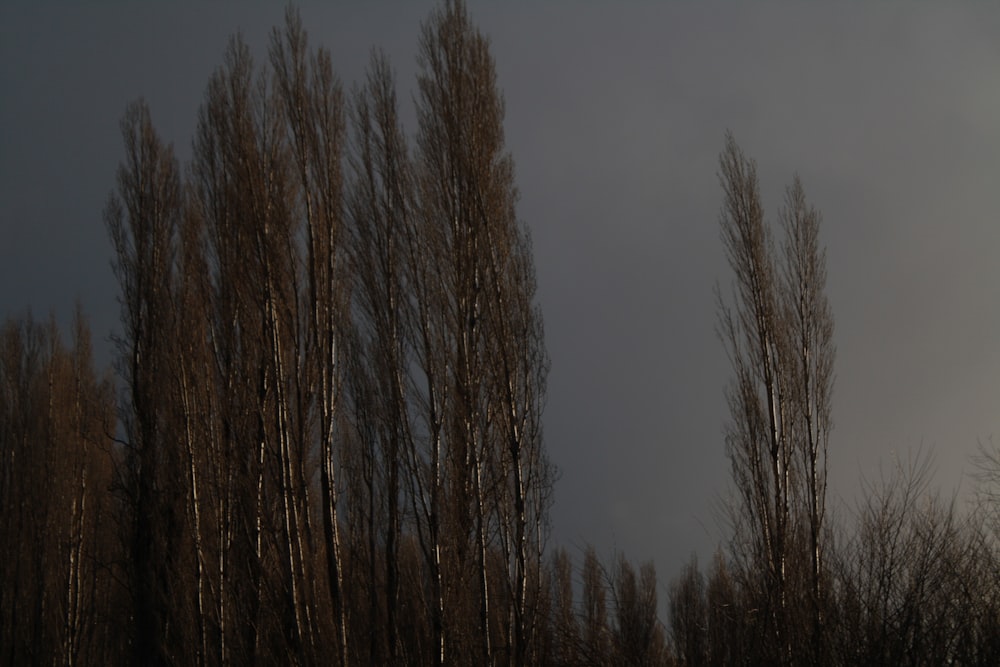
(143, 220)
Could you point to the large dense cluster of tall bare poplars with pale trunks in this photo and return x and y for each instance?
(335, 368)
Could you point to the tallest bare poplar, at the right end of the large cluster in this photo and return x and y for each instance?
(490, 461)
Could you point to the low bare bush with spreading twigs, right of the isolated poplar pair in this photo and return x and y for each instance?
(905, 592)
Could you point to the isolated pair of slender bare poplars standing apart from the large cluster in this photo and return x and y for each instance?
(778, 334)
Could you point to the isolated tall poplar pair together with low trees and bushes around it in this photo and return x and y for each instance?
(913, 581)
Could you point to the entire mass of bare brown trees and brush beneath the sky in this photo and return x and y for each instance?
(326, 445)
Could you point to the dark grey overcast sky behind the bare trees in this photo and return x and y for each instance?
(616, 114)
